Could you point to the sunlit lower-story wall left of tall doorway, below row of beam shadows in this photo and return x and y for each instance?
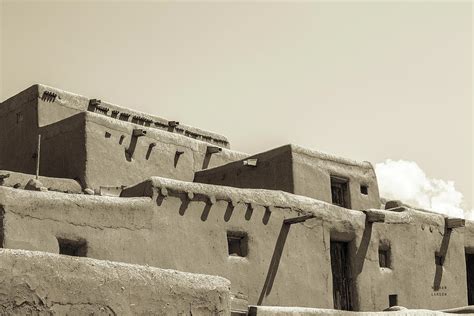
(136, 230)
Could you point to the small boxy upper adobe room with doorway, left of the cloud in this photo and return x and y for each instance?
(297, 170)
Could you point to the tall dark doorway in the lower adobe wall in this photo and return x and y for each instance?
(341, 282)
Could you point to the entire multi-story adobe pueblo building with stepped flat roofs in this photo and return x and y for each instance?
(109, 211)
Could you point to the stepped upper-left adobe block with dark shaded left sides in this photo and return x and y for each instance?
(97, 159)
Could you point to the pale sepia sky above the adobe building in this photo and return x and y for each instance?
(369, 81)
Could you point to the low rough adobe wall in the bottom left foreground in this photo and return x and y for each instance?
(38, 283)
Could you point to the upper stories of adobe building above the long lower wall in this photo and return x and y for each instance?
(106, 147)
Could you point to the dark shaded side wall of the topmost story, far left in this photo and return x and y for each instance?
(18, 132)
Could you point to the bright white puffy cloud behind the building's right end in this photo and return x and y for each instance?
(406, 181)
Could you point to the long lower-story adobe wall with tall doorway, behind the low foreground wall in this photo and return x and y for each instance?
(184, 226)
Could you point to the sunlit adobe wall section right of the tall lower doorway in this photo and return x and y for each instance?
(413, 238)
